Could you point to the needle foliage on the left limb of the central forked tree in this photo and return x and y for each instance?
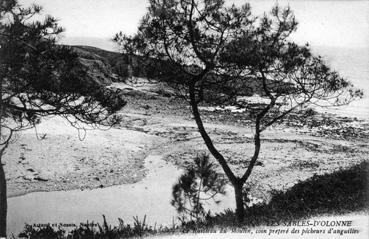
(186, 38)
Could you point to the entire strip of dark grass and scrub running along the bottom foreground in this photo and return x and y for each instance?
(341, 192)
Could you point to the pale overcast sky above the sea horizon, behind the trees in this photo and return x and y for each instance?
(325, 23)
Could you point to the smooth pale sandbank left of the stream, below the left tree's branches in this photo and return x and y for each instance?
(61, 161)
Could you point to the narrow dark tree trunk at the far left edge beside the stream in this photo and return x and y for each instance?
(3, 201)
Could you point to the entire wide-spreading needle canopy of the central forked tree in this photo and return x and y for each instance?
(223, 49)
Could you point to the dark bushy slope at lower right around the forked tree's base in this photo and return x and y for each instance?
(341, 192)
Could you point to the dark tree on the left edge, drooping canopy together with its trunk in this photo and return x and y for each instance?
(39, 78)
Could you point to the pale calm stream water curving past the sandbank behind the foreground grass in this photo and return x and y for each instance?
(151, 197)
